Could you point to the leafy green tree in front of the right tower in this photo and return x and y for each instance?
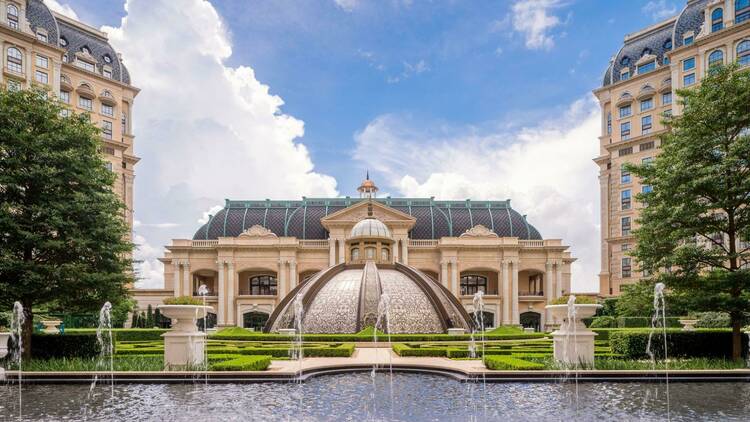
(695, 227)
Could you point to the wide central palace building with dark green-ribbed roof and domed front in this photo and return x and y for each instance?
(339, 255)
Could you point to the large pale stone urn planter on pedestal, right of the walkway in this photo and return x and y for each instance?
(573, 343)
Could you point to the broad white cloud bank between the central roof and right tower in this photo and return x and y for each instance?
(545, 170)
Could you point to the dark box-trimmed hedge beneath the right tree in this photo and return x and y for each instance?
(710, 343)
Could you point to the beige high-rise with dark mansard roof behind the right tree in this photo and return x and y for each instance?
(638, 89)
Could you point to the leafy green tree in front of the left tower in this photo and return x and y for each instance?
(63, 238)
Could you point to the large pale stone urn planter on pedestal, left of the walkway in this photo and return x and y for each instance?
(184, 344)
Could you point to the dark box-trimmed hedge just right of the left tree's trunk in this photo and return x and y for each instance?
(69, 345)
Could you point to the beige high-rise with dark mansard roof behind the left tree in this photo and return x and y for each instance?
(76, 63)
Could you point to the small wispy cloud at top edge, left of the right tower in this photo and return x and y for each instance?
(534, 20)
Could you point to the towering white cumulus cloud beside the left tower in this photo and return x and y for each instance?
(205, 131)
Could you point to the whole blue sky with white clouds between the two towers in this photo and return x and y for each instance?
(453, 99)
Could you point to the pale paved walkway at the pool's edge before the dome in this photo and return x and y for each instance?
(383, 357)
